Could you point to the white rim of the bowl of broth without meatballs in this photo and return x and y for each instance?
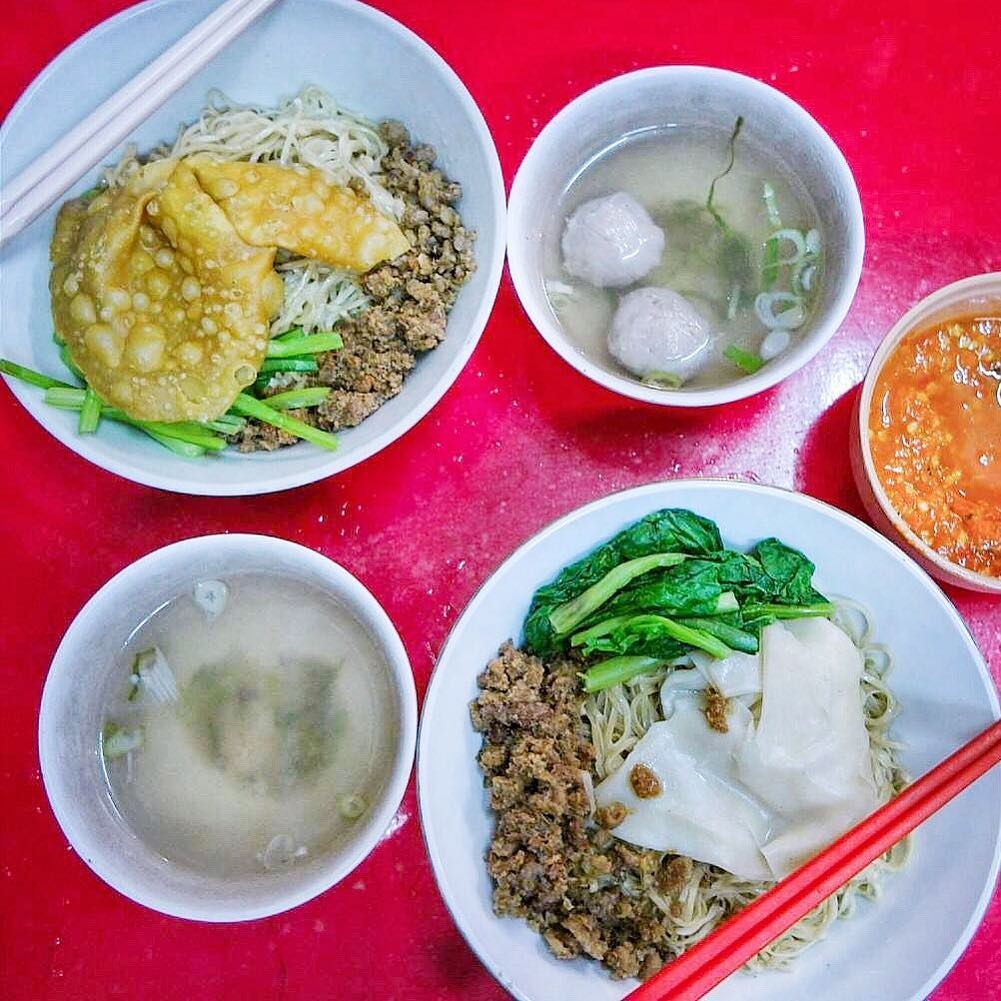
(401, 672)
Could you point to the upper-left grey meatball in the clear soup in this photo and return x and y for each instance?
(612, 242)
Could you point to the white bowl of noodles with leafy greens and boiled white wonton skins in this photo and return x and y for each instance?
(670, 699)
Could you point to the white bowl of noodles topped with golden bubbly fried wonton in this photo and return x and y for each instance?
(278, 276)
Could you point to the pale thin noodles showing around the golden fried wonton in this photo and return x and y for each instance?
(312, 131)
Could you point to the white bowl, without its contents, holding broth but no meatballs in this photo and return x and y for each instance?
(71, 720)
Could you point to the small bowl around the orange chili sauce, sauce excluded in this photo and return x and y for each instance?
(958, 300)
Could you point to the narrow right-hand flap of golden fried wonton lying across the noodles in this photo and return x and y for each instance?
(297, 209)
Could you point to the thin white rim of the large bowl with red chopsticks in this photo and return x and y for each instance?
(438, 681)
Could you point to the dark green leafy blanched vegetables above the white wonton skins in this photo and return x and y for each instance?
(665, 586)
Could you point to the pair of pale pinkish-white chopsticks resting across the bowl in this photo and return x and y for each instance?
(56, 172)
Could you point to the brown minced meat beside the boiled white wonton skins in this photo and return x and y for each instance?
(551, 864)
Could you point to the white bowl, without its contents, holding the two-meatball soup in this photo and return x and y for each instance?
(687, 96)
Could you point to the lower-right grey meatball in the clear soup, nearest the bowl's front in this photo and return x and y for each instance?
(656, 331)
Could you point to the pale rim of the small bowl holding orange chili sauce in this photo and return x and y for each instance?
(907, 324)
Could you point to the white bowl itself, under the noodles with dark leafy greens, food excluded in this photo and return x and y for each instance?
(894, 950)
